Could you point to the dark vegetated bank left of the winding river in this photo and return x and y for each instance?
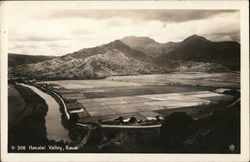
(31, 126)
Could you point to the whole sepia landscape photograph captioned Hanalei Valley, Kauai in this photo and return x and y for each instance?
(125, 80)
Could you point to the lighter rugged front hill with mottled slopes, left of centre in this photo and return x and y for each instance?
(112, 62)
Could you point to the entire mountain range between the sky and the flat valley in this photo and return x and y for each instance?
(137, 55)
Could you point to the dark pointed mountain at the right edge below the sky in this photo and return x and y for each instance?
(199, 49)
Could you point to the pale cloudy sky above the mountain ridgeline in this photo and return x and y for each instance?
(59, 32)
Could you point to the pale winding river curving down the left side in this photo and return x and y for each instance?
(55, 129)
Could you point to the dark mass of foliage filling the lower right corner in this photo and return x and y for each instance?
(217, 133)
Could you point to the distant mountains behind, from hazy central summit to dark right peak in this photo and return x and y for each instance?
(194, 48)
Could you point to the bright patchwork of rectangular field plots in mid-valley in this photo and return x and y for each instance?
(145, 105)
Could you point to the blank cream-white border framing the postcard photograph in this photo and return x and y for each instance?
(243, 6)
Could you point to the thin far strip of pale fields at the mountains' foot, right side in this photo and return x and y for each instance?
(230, 80)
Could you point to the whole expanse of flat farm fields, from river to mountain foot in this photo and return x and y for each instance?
(145, 95)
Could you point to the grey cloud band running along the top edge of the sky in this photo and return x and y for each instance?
(161, 15)
